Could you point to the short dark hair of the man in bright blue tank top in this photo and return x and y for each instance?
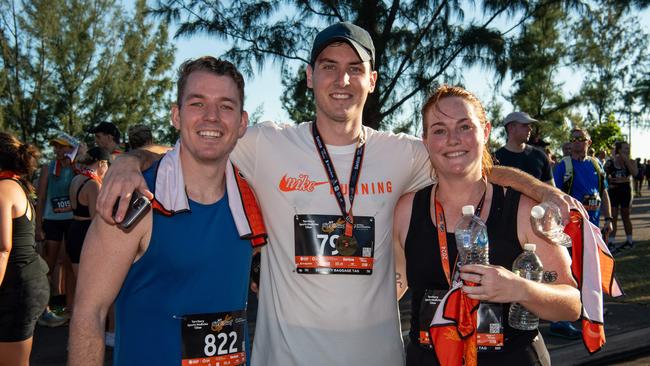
(209, 64)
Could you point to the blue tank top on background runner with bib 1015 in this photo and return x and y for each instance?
(58, 193)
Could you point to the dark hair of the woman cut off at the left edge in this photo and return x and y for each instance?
(17, 157)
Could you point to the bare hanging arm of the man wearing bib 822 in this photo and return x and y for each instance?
(106, 258)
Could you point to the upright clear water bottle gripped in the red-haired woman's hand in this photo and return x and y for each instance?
(471, 238)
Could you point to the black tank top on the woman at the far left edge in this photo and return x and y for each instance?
(24, 263)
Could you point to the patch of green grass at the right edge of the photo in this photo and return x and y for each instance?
(633, 273)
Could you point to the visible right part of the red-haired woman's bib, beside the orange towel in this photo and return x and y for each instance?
(489, 328)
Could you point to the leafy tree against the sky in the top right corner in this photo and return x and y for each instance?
(609, 46)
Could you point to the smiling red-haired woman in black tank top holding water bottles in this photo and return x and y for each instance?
(455, 133)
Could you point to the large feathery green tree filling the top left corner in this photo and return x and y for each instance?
(71, 63)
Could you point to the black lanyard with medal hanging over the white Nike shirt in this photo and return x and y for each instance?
(334, 180)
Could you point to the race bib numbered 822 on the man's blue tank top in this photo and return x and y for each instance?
(216, 339)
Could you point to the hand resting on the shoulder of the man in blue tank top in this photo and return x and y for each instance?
(121, 180)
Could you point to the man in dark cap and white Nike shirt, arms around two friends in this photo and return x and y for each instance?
(327, 283)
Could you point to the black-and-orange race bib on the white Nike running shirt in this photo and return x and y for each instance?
(322, 248)
